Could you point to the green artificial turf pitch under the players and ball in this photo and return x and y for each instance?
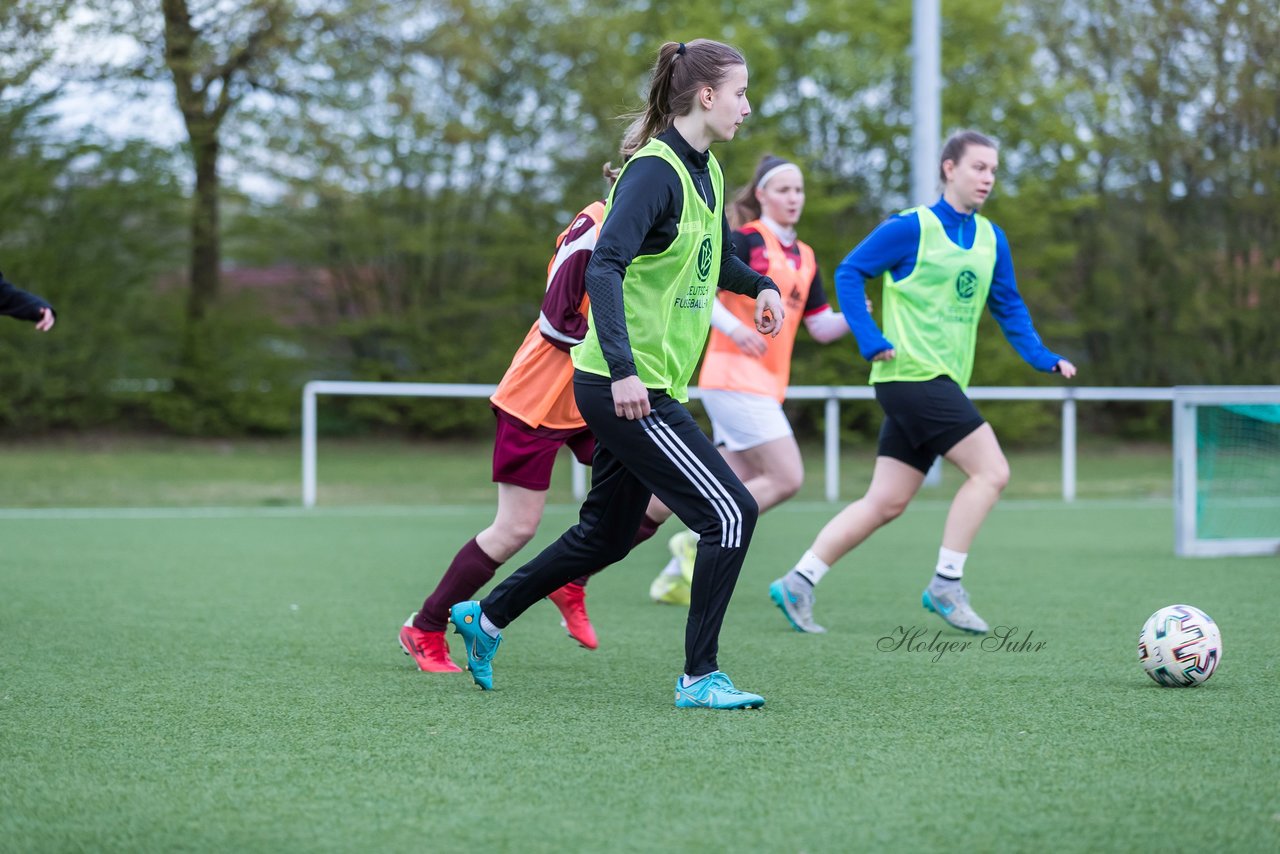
(231, 682)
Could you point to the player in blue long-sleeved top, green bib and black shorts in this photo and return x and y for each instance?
(940, 266)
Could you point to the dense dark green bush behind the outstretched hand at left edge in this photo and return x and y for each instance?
(90, 229)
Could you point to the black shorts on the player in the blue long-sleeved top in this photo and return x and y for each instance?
(925, 421)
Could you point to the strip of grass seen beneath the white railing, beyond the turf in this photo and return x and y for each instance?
(171, 473)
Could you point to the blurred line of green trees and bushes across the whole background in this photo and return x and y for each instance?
(369, 190)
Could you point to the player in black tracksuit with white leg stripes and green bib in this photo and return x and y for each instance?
(652, 284)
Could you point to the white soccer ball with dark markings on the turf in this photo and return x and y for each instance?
(1180, 647)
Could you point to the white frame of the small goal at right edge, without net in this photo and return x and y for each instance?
(1187, 401)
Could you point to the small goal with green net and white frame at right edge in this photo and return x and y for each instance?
(1227, 471)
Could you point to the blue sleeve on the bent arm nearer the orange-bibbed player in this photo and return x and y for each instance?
(892, 248)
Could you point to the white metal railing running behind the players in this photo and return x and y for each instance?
(833, 395)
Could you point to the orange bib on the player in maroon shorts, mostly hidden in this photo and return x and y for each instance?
(538, 387)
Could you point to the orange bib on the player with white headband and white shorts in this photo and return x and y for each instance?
(730, 369)
